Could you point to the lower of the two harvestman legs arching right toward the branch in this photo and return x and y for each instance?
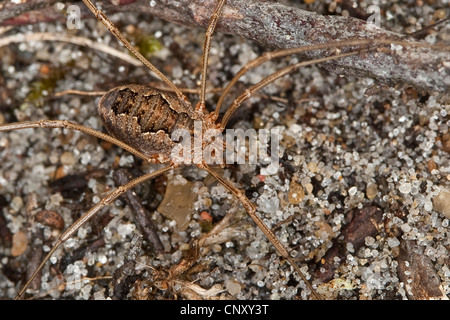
(280, 73)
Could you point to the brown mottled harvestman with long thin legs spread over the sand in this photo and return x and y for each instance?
(151, 142)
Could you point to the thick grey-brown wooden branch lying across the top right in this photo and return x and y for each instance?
(277, 26)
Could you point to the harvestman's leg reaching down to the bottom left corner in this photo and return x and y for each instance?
(88, 215)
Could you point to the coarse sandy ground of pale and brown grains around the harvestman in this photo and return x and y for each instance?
(340, 150)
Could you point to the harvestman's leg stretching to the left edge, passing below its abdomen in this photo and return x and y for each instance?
(77, 127)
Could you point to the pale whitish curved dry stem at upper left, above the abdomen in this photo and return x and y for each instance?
(45, 36)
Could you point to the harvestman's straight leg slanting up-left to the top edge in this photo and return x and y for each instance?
(111, 27)
